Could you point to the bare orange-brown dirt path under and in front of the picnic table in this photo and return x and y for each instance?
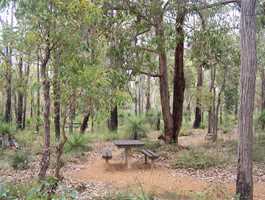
(157, 179)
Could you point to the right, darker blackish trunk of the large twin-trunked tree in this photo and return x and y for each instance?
(179, 79)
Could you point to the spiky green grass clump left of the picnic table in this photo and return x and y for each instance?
(77, 143)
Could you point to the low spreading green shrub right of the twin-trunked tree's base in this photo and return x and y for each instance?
(197, 160)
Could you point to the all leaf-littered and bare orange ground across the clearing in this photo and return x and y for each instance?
(93, 178)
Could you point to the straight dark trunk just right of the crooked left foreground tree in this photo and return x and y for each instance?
(57, 97)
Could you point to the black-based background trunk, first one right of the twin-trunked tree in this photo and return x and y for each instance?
(198, 112)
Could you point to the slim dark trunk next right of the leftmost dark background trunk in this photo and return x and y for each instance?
(20, 95)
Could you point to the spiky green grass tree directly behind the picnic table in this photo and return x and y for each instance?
(136, 127)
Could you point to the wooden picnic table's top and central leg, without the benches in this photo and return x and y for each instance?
(128, 145)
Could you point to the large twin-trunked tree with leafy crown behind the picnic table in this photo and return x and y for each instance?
(156, 17)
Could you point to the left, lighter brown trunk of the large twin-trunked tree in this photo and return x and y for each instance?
(163, 81)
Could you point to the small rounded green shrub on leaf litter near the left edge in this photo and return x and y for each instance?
(20, 160)
